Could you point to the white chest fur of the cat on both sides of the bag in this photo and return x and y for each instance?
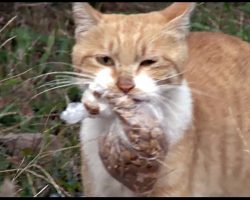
(177, 110)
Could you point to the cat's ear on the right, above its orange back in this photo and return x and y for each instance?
(178, 17)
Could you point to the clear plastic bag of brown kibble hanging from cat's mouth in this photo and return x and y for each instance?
(134, 147)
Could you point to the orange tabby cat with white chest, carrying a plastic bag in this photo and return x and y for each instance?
(200, 80)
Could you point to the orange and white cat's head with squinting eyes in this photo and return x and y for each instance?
(133, 54)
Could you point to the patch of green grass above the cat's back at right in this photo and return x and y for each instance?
(230, 18)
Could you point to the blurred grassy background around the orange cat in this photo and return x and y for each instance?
(39, 154)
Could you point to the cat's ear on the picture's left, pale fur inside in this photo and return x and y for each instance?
(85, 17)
